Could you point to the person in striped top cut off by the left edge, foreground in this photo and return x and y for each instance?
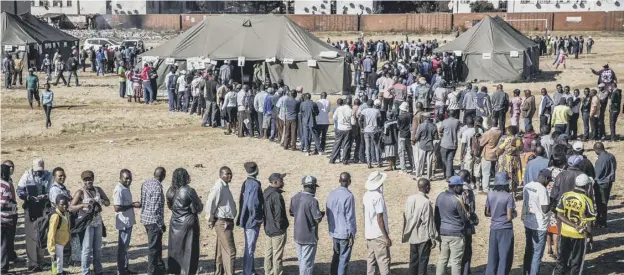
(8, 218)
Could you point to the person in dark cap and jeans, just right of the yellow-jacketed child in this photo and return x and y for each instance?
(88, 201)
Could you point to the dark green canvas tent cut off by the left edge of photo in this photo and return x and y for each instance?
(26, 33)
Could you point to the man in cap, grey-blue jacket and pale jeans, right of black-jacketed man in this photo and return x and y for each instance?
(304, 207)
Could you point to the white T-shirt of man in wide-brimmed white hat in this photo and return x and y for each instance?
(374, 204)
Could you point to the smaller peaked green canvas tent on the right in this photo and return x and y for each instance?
(493, 50)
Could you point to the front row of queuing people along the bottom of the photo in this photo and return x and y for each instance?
(558, 212)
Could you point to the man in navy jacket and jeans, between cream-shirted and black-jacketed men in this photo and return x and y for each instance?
(251, 209)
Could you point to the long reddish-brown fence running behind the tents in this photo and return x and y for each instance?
(436, 22)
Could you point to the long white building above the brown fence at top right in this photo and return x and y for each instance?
(513, 6)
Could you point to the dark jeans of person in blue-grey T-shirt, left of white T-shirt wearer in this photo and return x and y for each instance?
(500, 252)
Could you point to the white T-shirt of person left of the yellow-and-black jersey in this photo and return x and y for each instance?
(534, 196)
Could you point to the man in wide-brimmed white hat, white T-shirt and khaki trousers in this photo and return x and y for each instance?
(376, 228)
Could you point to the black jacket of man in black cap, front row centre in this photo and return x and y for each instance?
(275, 216)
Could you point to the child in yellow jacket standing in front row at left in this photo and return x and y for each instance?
(58, 234)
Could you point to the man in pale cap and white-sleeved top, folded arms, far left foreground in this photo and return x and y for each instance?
(33, 189)
